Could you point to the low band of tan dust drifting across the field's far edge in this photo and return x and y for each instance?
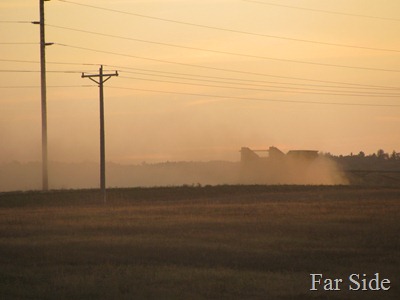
(27, 176)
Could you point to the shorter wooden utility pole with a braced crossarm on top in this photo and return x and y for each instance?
(101, 79)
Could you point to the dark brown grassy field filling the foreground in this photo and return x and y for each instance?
(226, 242)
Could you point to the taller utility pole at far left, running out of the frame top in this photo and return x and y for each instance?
(43, 44)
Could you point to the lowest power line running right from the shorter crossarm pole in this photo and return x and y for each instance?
(257, 99)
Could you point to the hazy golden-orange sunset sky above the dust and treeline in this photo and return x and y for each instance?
(199, 79)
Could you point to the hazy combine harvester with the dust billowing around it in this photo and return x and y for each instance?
(272, 166)
